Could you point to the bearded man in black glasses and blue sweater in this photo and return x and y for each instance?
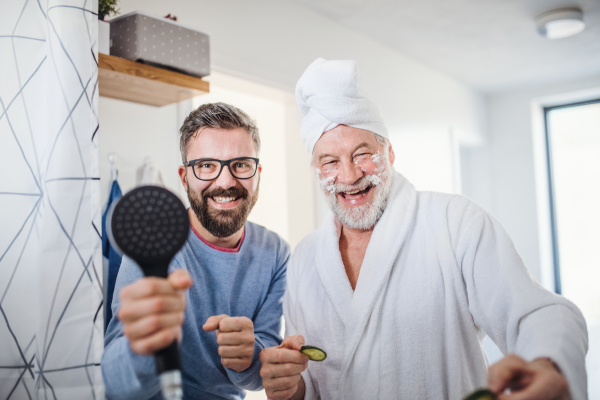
(238, 271)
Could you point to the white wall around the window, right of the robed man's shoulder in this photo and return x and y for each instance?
(507, 174)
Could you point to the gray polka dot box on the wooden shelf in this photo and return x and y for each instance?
(161, 42)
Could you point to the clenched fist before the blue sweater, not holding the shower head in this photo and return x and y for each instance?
(235, 336)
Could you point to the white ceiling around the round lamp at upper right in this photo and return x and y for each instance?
(491, 45)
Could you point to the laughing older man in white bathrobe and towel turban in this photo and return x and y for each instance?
(400, 287)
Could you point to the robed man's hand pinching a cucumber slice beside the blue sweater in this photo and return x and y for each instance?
(281, 367)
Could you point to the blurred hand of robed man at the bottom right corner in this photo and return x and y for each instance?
(539, 379)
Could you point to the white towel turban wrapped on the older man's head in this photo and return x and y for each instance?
(328, 94)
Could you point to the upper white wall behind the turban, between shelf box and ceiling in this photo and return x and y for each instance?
(273, 41)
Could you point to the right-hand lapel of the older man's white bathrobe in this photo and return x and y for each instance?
(388, 236)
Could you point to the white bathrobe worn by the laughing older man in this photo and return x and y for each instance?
(439, 274)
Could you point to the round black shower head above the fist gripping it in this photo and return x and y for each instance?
(149, 225)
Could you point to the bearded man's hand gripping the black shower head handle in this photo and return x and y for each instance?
(152, 311)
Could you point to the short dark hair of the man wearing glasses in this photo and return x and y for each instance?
(216, 116)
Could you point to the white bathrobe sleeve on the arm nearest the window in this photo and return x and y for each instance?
(518, 314)
